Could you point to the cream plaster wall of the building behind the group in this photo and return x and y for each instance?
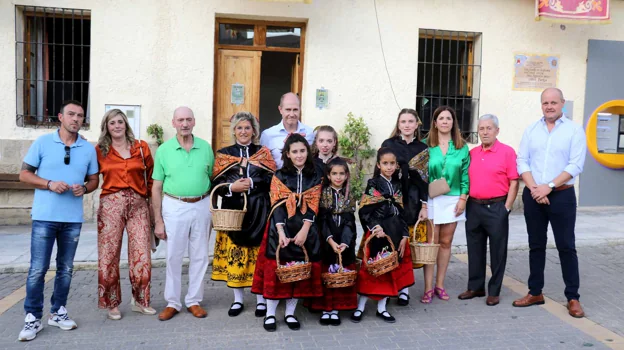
(160, 54)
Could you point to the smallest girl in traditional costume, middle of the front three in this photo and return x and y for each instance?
(337, 227)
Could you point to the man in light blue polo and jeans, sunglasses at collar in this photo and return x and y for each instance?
(57, 164)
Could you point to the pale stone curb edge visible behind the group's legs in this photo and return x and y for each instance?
(157, 263)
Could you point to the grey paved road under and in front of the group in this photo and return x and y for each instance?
(442, 325)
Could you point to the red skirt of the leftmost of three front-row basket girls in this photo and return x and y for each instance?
(265, 280)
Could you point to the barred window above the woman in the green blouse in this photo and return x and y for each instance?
(449, 73)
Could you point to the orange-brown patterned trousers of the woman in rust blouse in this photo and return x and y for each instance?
(123, 209)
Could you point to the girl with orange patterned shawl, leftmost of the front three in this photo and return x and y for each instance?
(295, 194)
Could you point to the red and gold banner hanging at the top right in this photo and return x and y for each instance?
(573, 11)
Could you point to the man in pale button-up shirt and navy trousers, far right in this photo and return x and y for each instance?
(551, 156)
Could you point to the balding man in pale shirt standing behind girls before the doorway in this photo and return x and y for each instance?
(274, 137)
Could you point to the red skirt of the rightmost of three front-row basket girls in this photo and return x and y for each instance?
(389, 284)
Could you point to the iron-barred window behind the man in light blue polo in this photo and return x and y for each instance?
(52, 62)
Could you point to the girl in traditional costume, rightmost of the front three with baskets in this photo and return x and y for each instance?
(382, 215)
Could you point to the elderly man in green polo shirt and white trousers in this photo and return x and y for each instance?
(181, 201)
